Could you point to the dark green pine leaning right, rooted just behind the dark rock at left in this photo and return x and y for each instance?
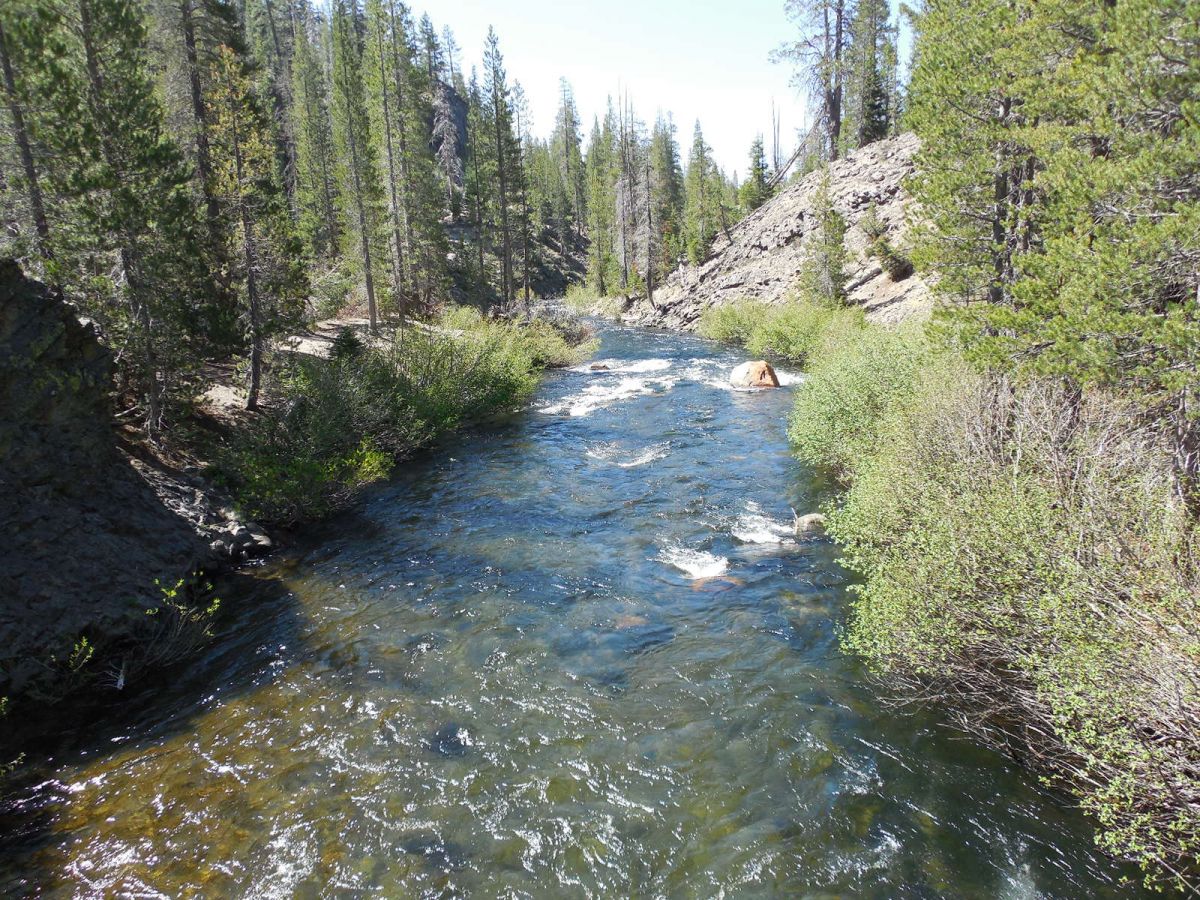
(133, 219)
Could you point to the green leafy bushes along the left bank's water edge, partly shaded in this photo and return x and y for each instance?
(343, 423)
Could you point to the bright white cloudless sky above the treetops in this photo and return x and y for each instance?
(698, 59)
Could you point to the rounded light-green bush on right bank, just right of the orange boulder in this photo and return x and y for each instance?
(855, 383)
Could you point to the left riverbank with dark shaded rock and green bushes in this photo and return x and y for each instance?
(113, 543)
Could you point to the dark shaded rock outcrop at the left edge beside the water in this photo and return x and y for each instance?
(87, 524)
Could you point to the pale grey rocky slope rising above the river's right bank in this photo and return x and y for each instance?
(764, 255)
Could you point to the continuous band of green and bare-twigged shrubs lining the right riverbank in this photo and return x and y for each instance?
(1025, 562)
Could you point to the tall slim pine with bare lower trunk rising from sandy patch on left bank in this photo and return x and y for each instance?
(359, 172)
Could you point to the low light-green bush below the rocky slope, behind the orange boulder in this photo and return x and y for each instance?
(794, 332)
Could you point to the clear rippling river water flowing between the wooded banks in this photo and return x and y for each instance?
(581, 657)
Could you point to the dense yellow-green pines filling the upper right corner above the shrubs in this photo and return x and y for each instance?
(1073, 196)
